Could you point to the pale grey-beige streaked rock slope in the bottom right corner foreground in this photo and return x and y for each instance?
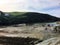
(52, 41)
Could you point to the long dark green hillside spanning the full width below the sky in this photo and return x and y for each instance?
(25, 17)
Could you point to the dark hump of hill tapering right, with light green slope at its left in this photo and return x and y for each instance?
(33, 17)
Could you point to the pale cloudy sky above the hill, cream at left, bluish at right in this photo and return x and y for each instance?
(51, 7)
